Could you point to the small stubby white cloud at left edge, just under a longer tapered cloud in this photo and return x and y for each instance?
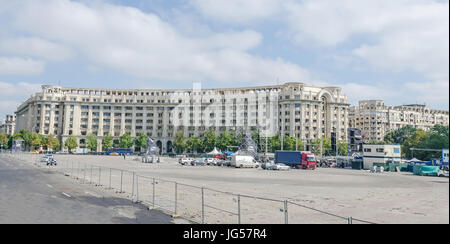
(20, 66)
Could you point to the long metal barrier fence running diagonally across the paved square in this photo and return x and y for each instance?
(197, 204)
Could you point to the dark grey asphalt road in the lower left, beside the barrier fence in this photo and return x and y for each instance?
(33, 196)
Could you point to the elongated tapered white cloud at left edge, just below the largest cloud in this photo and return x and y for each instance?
(35, 47)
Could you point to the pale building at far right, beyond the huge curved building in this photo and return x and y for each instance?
(375, 119)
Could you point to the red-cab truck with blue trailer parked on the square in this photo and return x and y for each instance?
(299, 160)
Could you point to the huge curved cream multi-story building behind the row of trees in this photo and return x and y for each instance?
(292, 109)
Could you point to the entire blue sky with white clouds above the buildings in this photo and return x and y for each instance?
(374, 49)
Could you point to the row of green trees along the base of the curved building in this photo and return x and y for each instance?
(224, 142)
